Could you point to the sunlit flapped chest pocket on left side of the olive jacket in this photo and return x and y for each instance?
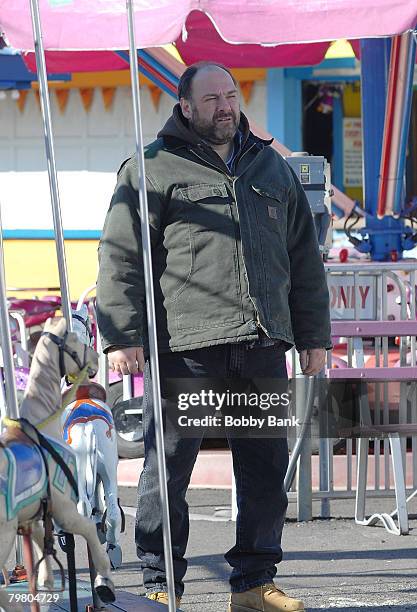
(207, 207)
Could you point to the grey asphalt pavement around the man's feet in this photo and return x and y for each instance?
(330, 564)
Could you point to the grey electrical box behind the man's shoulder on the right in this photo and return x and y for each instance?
(313, 172)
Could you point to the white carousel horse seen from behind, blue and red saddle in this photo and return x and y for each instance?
(88, 427)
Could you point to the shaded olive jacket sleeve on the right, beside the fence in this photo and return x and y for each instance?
(309, 295)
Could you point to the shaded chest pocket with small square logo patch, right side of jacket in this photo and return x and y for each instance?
(271, 208)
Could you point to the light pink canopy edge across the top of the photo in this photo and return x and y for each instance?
(102, 24)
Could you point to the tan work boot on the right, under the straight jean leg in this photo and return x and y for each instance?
(266, 598)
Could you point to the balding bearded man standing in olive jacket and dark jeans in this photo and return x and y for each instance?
(238, 279)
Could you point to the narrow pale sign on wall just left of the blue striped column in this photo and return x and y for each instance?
(352, 152)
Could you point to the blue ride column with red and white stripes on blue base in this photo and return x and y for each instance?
(387, 68)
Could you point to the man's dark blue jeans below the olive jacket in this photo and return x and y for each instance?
(259, 466)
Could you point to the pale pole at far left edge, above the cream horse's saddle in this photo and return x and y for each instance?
(12, 409)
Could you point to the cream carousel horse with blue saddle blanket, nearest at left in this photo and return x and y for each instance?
(38, 474)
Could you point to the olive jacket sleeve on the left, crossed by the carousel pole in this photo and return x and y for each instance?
(121, 311)
